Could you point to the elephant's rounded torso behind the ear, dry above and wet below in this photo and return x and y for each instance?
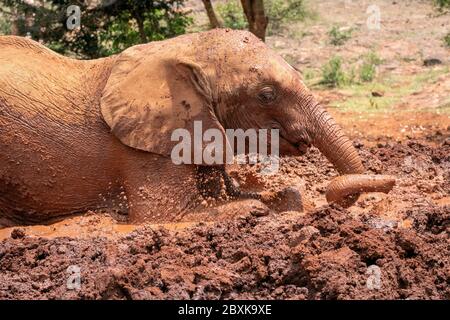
(56, 149)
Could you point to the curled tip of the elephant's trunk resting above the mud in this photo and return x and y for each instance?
(343, 189)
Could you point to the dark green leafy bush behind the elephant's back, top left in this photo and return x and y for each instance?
(107, 28)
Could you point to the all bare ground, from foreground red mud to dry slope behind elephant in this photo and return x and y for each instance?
(393, 246)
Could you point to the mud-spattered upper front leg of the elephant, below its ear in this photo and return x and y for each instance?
(157, 190)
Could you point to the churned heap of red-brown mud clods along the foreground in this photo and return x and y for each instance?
(327, 254)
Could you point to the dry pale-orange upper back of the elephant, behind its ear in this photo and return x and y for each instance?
(58, 88)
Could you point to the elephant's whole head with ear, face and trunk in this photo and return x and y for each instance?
(226, 79)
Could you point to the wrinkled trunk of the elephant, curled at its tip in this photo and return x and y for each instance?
(330, 139)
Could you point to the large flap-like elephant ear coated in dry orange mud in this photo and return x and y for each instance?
(148, 96)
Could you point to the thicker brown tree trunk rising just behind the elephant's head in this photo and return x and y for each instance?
(256, 17)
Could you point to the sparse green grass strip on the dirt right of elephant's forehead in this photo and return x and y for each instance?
(395, 88)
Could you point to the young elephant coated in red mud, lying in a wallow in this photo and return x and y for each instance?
(78, 135)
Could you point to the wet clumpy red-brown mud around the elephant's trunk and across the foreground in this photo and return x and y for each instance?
(322, 253)
